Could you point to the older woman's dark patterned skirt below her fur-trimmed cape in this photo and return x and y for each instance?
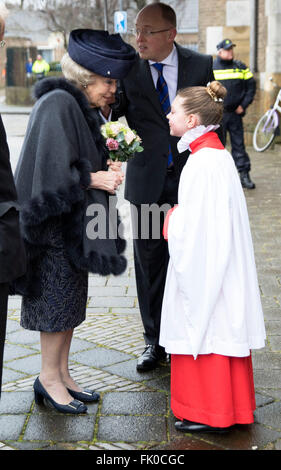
(64, 288)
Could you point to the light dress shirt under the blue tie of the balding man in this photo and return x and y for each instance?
(170, 72)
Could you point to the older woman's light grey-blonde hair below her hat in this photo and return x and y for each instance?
(75, 73)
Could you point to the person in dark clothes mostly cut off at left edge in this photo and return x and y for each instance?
(12, 255)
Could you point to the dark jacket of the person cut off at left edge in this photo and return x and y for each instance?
(12, 254)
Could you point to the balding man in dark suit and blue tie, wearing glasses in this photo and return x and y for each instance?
(151, 179)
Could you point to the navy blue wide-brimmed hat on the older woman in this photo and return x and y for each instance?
(100, 52)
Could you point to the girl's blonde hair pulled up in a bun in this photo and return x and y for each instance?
(206, 102)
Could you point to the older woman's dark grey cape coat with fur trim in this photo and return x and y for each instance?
(63, 144)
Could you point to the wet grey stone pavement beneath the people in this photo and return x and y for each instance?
(134, 411)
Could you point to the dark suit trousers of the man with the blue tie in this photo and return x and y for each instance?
(151, 256)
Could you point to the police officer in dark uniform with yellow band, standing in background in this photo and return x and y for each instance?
(241, 88)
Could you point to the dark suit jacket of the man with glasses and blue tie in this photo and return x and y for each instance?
(139, 102)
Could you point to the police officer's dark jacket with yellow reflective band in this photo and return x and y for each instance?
(238, 80)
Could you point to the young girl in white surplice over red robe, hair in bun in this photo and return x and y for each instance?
(212, 315)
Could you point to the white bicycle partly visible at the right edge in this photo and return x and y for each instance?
(267, 127)
